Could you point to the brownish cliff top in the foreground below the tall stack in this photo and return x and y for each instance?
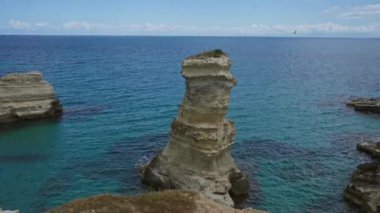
(169, 201)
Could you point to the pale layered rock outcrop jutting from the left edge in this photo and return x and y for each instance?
(27, 96)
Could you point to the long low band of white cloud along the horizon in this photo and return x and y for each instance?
(88, 28)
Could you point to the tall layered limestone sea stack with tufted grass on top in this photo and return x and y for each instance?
(197, 156)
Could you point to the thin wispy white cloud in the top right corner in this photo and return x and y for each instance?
(358, 12)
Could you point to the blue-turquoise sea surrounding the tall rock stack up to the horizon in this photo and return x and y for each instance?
(295, 137)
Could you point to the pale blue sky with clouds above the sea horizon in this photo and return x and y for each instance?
(332, 18)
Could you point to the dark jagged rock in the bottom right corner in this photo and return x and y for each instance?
(364, 189)
